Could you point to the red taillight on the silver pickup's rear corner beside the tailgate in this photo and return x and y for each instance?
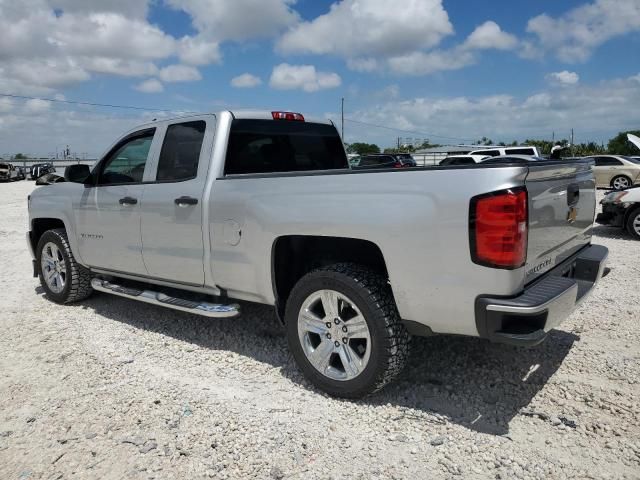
(498, 224)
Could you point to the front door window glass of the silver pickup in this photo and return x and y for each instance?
(126, 163)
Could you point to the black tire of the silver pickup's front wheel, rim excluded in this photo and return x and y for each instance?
(78, 278)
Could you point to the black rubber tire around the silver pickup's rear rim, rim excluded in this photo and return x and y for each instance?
(372, 294)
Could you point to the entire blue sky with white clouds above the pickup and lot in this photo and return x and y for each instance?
(447, 70)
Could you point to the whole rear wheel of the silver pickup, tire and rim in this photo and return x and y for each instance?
(344, 330)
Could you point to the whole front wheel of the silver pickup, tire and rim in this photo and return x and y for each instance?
(61, 277)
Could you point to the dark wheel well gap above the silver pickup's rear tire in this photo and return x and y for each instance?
(292, 256)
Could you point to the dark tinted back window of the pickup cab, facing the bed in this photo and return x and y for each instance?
(277, 146)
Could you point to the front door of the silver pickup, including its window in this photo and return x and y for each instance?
(108, 212)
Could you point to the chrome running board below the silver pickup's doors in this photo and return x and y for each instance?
(156, 298)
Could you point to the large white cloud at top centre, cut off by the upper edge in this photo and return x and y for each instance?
(366, 28)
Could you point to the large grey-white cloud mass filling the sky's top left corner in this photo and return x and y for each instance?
(43, 50)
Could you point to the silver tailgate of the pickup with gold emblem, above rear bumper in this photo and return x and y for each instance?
(562, 206)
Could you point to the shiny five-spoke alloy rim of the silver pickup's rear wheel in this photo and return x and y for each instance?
(334, 335)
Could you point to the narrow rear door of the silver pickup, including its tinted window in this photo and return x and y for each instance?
(172, 235)
